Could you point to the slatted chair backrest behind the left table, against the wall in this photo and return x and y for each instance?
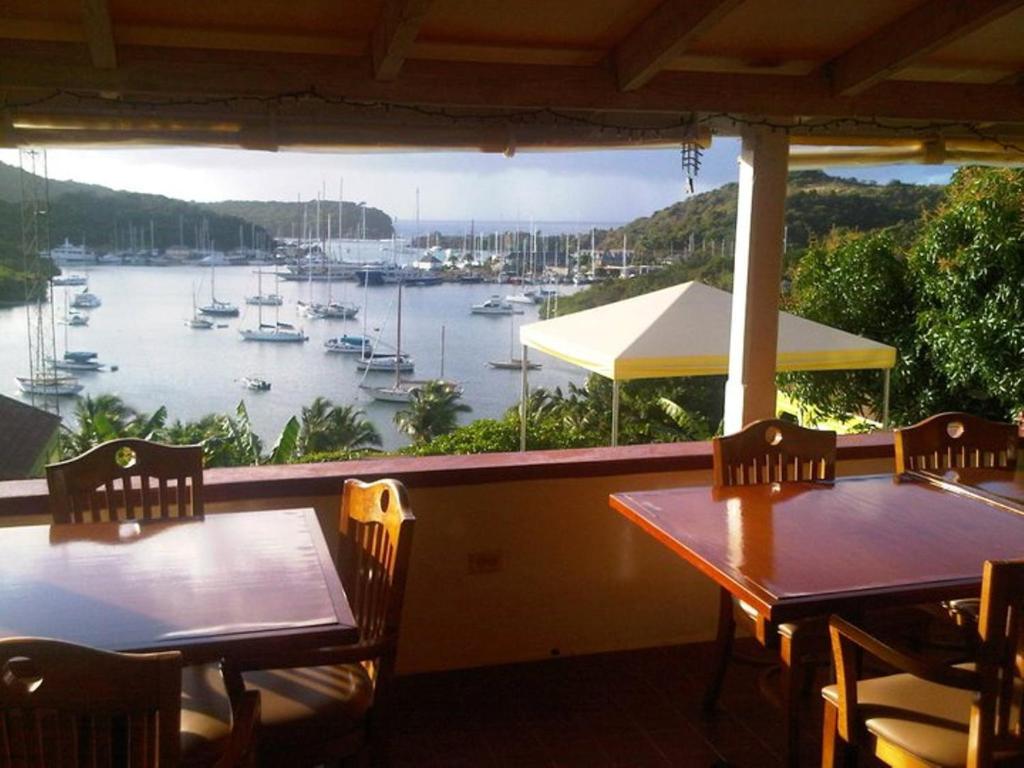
(127, 480)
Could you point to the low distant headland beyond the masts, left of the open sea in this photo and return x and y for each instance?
(285, 220)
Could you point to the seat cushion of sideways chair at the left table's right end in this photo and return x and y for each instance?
(311, 703)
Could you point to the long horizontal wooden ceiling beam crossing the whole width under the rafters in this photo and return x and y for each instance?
(198, 76)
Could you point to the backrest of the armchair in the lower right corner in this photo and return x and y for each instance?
(996, 714)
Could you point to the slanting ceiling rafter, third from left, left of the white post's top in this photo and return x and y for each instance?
(671, 29)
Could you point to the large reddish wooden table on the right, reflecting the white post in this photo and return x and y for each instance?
(801, 550)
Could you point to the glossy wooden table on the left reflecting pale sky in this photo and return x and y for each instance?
(214, 587)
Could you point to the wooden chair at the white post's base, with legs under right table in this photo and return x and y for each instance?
(766, 452)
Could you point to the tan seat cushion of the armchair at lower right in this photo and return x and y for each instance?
(925, 719)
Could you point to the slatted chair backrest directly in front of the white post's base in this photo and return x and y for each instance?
(774, 451)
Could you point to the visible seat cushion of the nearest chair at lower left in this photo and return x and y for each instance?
(206, 715)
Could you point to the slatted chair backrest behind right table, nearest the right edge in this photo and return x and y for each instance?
(954, 441)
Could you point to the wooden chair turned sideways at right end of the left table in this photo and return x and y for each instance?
(332, 703)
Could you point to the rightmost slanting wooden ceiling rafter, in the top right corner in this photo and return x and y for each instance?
(919, 32)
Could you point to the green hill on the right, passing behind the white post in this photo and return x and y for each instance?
(817, 204)
